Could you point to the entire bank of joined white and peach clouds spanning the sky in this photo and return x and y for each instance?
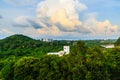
(63, 18)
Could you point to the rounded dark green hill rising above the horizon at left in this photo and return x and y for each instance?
(15, 41)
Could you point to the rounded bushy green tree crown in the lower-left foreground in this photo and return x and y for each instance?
(27, 68)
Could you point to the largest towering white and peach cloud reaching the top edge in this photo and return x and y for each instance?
(63, 14)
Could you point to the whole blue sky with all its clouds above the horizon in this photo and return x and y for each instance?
(60, 19)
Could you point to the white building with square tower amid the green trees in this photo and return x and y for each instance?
(66, 50)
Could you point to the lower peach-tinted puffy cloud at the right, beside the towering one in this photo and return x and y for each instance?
(100, 27)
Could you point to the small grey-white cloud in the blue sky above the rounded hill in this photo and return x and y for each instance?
(25, 21)
